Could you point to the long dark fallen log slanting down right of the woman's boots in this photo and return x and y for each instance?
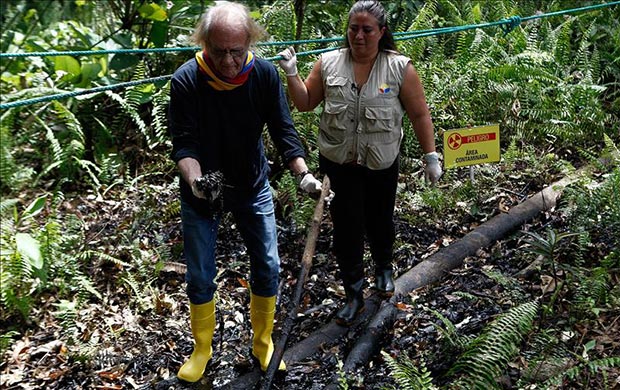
(440, 263)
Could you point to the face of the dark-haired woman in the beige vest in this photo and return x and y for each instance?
(364, 33)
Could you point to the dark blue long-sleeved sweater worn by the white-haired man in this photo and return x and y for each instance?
(223, 129)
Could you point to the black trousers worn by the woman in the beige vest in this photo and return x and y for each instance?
(363, 206)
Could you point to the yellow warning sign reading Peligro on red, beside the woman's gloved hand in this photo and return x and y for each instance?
(470, 146)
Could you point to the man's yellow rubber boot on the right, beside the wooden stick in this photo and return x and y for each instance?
(262, 311)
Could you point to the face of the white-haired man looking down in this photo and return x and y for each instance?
(228, 48)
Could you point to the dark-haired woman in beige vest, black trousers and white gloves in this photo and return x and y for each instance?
(366, 88)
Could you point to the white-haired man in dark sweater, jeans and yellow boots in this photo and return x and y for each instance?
(220, 101)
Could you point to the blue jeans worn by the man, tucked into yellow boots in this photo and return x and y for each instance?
(255, 219)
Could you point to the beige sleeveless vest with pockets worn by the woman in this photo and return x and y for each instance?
(364, 128)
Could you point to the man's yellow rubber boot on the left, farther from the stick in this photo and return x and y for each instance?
(202, 319)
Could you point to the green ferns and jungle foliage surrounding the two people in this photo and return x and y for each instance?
(552, 84)
